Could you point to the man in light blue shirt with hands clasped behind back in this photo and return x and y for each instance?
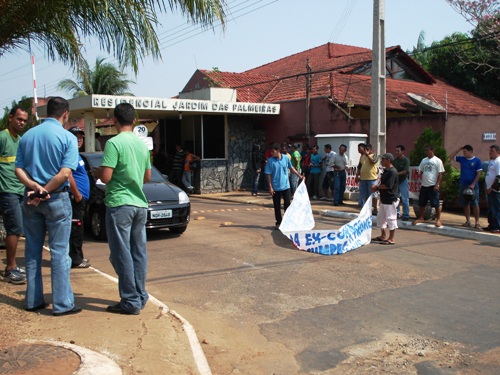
(45, 158)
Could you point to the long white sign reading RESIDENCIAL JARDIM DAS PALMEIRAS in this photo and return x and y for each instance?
(185, 105)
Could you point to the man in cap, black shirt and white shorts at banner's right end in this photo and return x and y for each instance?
(388, 188)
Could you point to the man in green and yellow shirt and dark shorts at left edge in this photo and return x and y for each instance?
(11, 193)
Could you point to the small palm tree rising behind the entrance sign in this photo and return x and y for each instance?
(104, 79)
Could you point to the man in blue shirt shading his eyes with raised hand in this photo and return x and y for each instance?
(470, 171)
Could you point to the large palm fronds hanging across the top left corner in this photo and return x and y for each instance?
(125, 28)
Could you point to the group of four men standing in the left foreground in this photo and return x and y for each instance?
(43, 189)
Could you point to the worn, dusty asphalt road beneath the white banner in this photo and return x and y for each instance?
(429, 304)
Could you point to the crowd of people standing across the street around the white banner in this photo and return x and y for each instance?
(285, 167)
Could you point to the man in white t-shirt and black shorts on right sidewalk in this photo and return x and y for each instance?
(431, 168)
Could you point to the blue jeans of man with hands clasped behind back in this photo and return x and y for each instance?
(54, 216)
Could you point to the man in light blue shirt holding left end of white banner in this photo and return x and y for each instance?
(276, 171)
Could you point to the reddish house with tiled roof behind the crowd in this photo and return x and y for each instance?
(337, 80)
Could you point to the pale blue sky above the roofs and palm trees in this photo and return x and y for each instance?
(257, 32)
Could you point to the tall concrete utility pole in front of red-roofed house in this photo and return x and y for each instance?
(377, 110)
